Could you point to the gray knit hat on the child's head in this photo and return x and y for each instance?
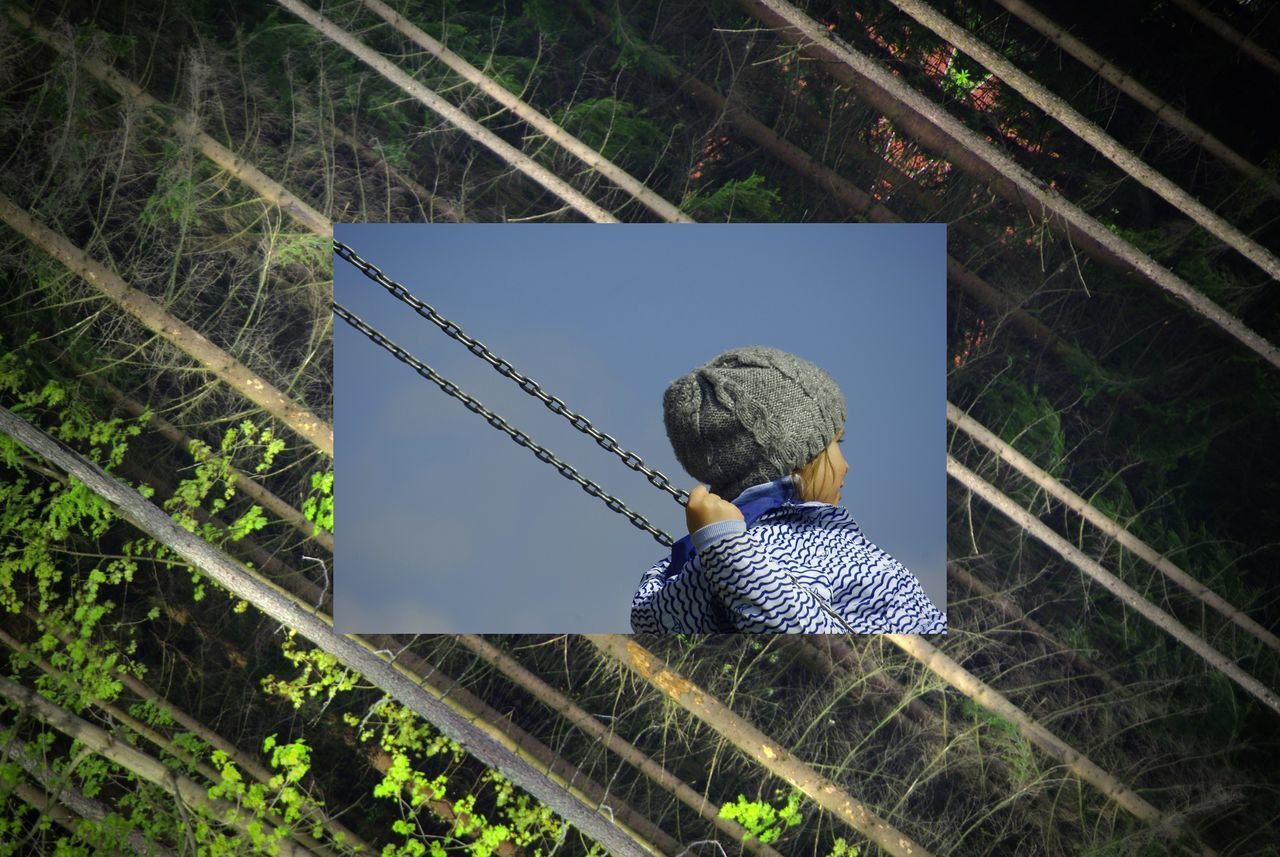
(749, 416)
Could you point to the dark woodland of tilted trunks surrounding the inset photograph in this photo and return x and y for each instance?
(199, 153)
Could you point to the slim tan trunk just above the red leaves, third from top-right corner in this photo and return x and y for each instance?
(1103, 143)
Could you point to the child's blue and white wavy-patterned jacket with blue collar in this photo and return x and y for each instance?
(746, 579)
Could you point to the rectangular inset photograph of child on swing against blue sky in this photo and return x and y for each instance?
(652, 429)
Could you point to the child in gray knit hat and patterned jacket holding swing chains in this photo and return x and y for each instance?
(764, 428)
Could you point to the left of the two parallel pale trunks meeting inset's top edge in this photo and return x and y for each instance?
(435, 103)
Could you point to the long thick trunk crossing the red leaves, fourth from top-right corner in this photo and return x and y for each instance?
(934, 129)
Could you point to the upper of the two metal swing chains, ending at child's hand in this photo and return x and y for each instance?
(529, 386)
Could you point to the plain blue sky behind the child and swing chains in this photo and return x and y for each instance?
(445, 525)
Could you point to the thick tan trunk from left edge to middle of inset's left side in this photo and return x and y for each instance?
(213, 359)
